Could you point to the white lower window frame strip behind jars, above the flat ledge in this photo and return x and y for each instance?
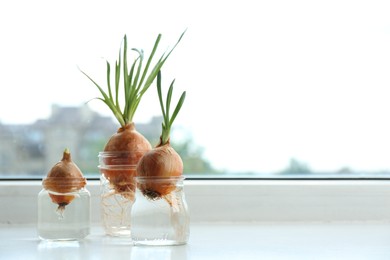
(239, 201)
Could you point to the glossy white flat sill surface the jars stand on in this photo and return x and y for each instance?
(216, 241)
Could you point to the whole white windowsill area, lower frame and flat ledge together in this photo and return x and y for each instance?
(229, 220)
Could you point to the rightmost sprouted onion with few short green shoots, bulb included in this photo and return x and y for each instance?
(163, 161)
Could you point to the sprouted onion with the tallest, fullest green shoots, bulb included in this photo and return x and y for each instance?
(136, 80)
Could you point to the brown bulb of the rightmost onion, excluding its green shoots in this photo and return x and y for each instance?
(162, 161)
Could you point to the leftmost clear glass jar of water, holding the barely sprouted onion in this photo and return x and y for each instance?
(64, 216)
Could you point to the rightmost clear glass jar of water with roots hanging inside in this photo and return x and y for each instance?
(160, 213)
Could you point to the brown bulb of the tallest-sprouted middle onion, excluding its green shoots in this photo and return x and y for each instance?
(126, 139)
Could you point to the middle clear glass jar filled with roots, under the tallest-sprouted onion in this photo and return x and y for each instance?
(118, 170)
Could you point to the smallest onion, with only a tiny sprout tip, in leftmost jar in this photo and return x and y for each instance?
(64, 179)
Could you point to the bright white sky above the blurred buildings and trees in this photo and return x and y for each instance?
(266, 81)
